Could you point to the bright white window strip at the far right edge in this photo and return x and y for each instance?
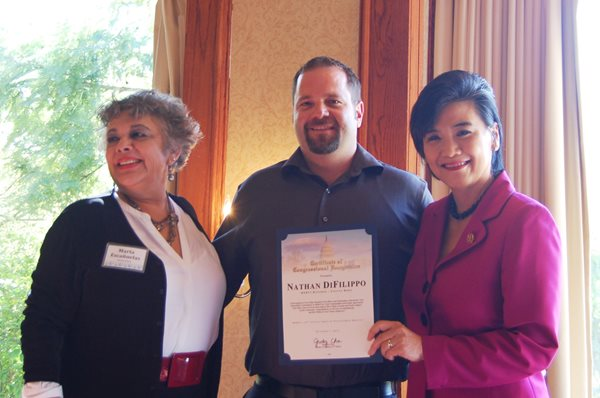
(589, 64)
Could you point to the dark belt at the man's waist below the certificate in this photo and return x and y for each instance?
(381, 389)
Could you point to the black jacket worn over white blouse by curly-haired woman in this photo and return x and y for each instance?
(98, 331)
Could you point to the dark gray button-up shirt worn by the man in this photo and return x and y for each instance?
(288, 195)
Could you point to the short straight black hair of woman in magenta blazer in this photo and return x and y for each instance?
(449, 87)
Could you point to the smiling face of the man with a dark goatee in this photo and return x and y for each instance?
(325, 118)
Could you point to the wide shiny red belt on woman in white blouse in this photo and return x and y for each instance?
(182, 369)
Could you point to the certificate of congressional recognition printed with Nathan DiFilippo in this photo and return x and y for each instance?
(327, 294)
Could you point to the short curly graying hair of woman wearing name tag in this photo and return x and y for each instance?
(180, 129)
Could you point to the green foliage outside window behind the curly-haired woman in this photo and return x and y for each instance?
(50, 147)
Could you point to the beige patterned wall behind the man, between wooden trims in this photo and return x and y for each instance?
(271, 39)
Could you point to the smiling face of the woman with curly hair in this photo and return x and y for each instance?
(136, 155)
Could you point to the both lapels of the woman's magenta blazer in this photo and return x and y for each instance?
(476, 231)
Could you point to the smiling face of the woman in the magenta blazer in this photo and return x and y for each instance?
(459, 148)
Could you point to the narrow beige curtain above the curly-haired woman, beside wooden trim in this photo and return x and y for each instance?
(169, 39)
